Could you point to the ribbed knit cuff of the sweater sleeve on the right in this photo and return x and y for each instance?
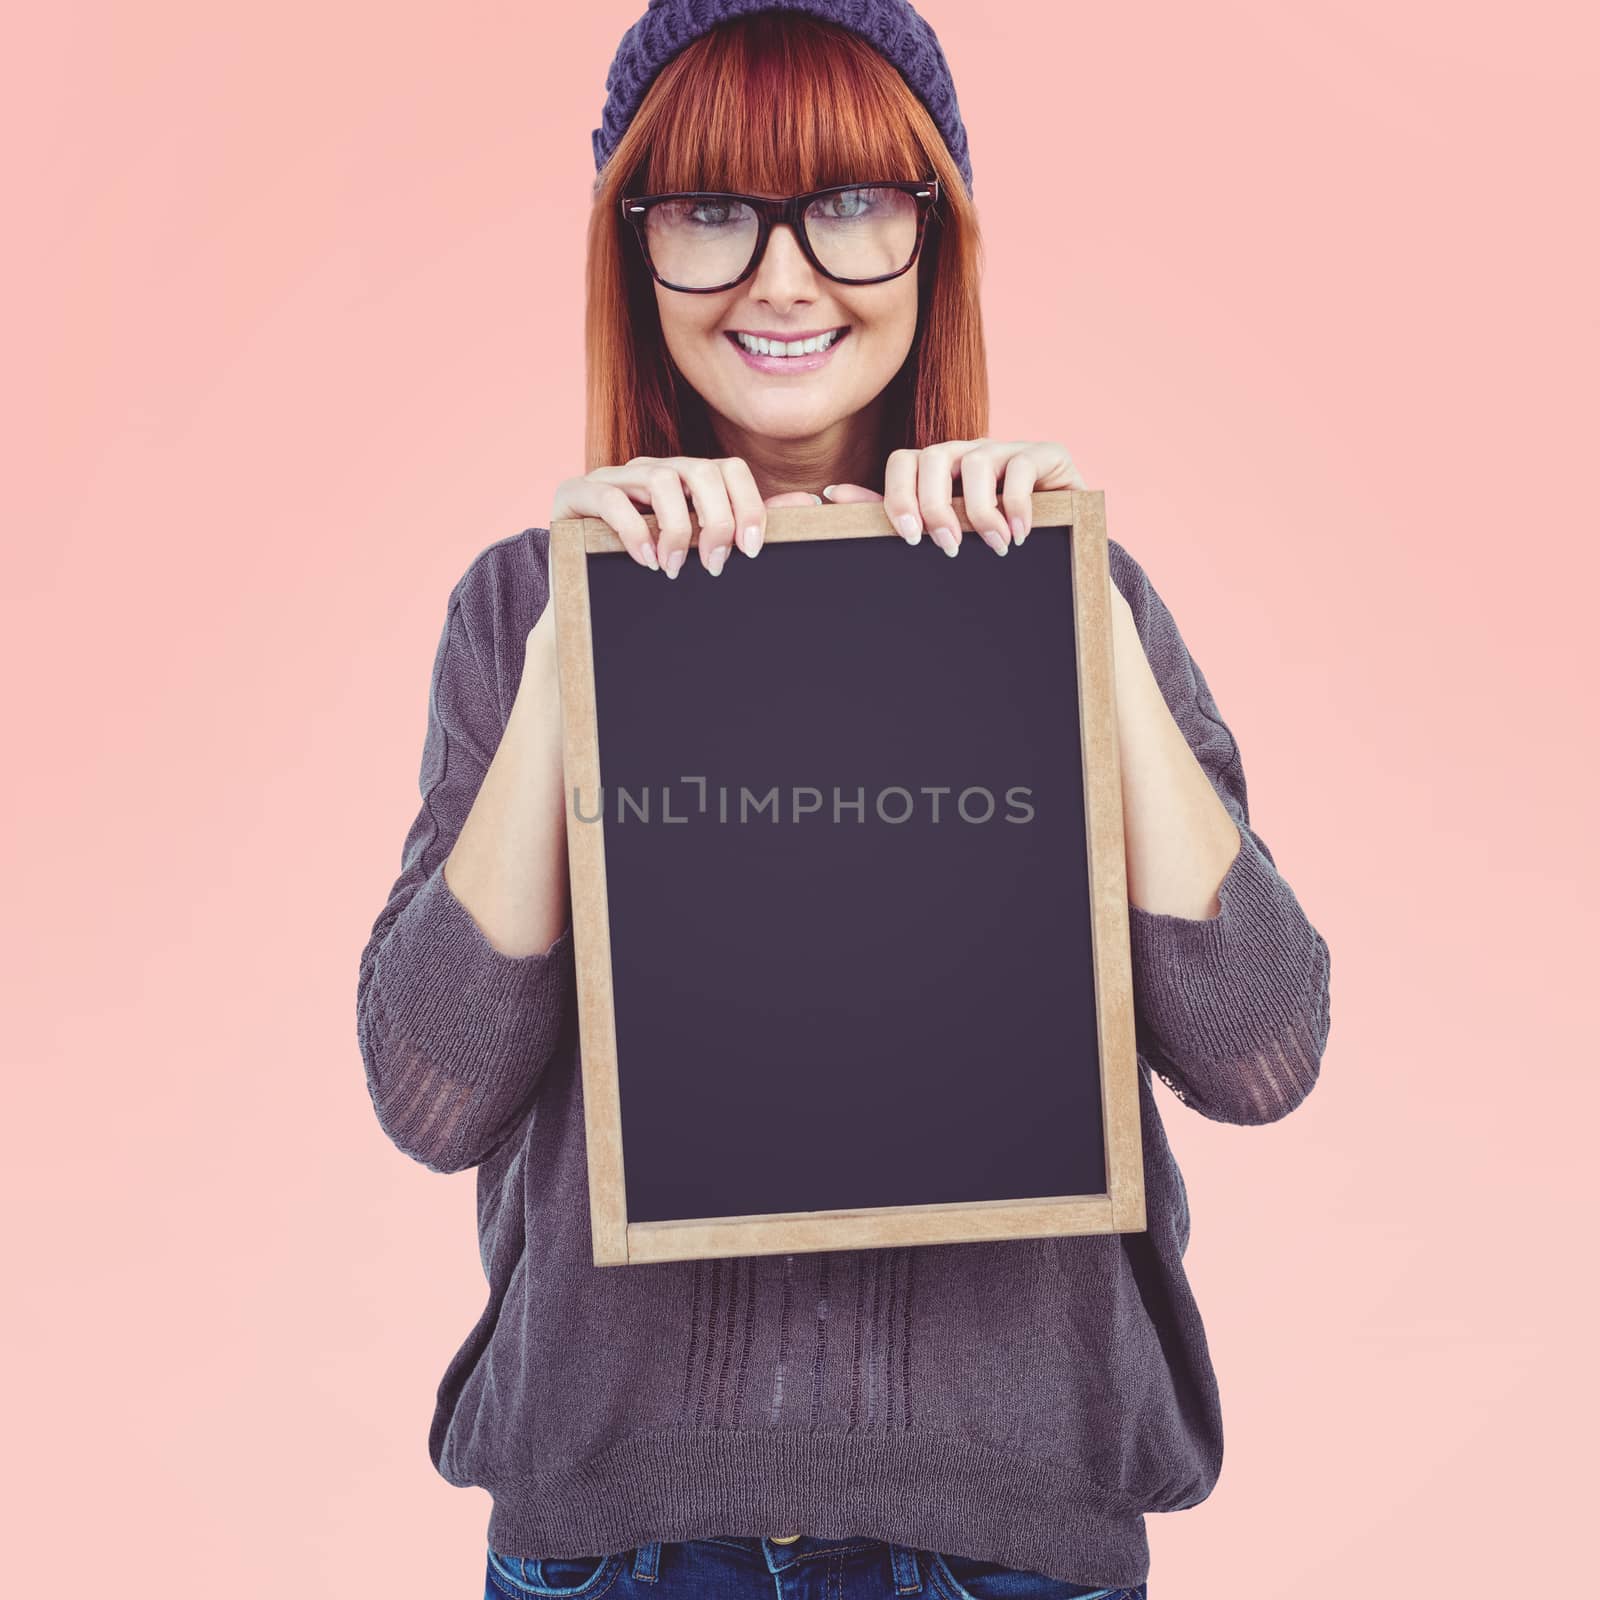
(1218, 990)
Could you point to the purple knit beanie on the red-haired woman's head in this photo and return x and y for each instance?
(890, 26)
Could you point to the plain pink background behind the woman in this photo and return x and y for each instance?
(1310, 292)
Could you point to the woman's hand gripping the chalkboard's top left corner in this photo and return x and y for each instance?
(724, 494)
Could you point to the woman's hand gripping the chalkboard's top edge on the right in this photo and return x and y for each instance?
(918, 489)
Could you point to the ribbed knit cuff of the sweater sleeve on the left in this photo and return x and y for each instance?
(458, 1002)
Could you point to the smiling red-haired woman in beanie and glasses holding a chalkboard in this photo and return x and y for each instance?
(970, 1420)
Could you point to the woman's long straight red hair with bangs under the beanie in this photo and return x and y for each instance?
(777, 103)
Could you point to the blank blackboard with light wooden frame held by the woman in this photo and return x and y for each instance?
(849, 902)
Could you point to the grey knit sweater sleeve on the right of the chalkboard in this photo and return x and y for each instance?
(1231, 1010)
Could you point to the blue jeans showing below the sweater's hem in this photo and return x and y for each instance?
(740, 1569)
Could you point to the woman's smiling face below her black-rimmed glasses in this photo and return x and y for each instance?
(790, 399)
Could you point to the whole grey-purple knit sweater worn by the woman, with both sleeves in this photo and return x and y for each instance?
(1022, 1402)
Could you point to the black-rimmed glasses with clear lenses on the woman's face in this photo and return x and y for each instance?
(713, 241)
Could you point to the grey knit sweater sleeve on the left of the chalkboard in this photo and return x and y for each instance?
(455, 1034)
